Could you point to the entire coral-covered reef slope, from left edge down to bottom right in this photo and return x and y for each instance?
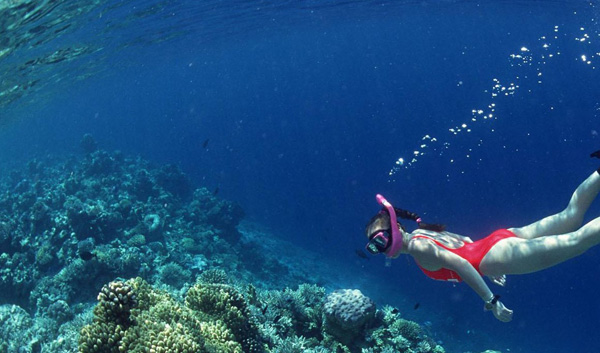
(101, 252)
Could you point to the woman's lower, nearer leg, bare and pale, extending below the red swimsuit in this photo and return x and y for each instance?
(517, 256)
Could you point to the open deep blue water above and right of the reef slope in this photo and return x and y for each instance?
(308, 105)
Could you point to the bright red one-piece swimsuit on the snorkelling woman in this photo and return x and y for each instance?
(472, 252)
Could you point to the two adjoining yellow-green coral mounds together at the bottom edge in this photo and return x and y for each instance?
(164, 325)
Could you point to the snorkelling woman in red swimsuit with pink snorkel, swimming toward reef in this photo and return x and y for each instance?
(451, 257)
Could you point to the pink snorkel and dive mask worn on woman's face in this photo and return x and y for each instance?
(385, 238)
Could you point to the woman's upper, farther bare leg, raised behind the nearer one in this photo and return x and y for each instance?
(570, 218)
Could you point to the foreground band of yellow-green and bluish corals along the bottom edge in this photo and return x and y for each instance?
(133, 316)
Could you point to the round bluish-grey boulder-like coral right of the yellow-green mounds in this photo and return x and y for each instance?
(347, 313)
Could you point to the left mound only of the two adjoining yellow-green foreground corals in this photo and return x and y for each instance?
(161, 324)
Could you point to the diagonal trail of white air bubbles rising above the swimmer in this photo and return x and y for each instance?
(535, 57)
